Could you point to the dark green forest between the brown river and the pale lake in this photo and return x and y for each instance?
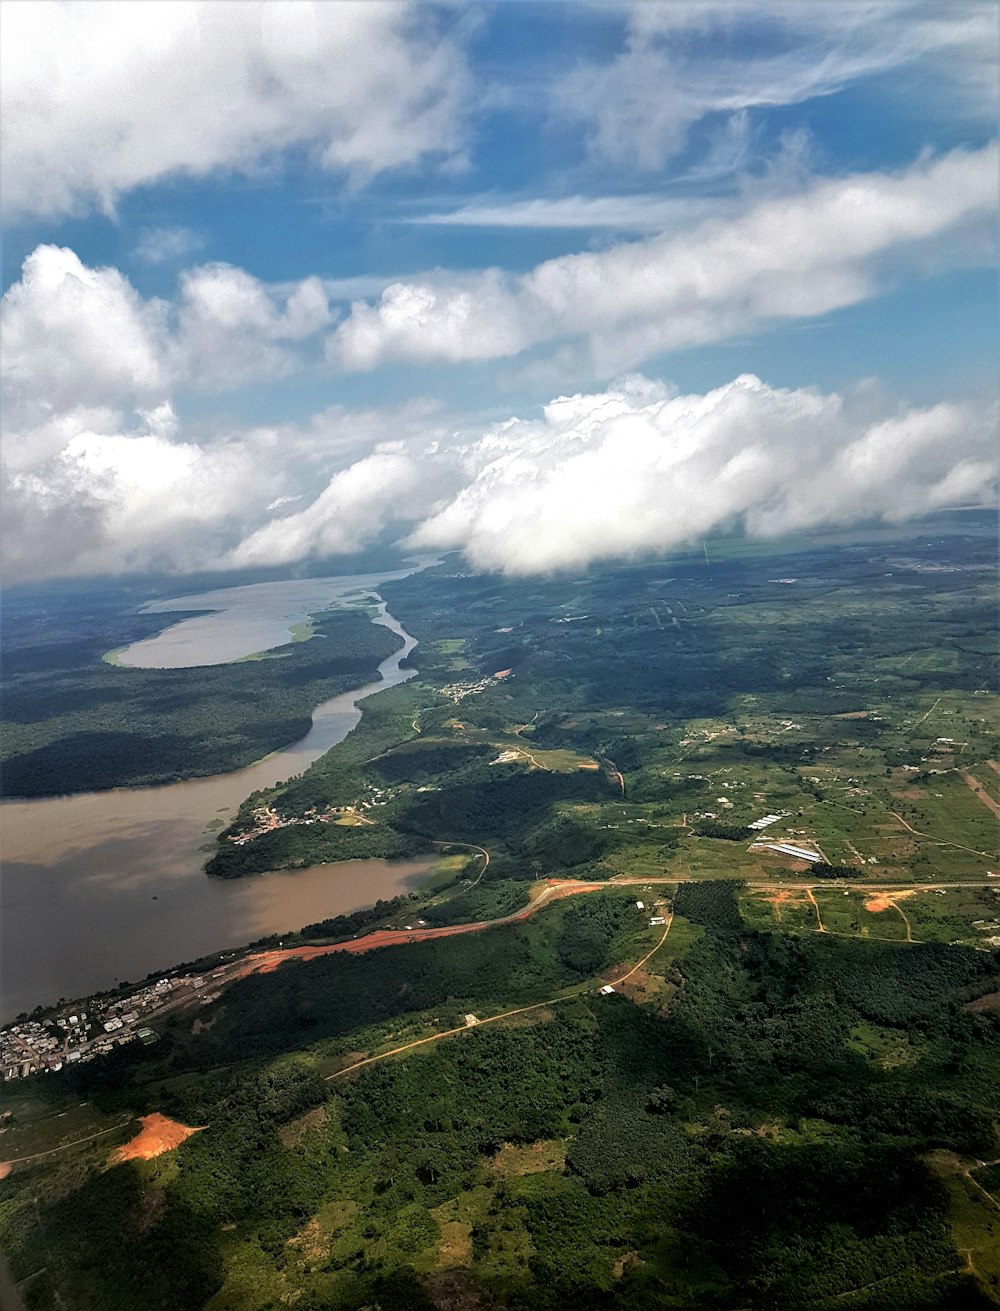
(74, 723)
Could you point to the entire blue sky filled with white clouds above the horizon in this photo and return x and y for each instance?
(547, 284)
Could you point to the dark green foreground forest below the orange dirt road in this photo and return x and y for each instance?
(723, 1145)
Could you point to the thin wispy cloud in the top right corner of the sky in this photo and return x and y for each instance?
(639, 107)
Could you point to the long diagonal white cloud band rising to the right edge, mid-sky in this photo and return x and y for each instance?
(786, 258)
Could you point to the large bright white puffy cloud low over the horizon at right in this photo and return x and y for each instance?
(636, 471)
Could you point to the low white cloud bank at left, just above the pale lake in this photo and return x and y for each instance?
(102, 491)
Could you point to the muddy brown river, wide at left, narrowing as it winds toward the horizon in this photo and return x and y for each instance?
(104, 887)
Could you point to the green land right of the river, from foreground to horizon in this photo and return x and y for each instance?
(621, 1049)
